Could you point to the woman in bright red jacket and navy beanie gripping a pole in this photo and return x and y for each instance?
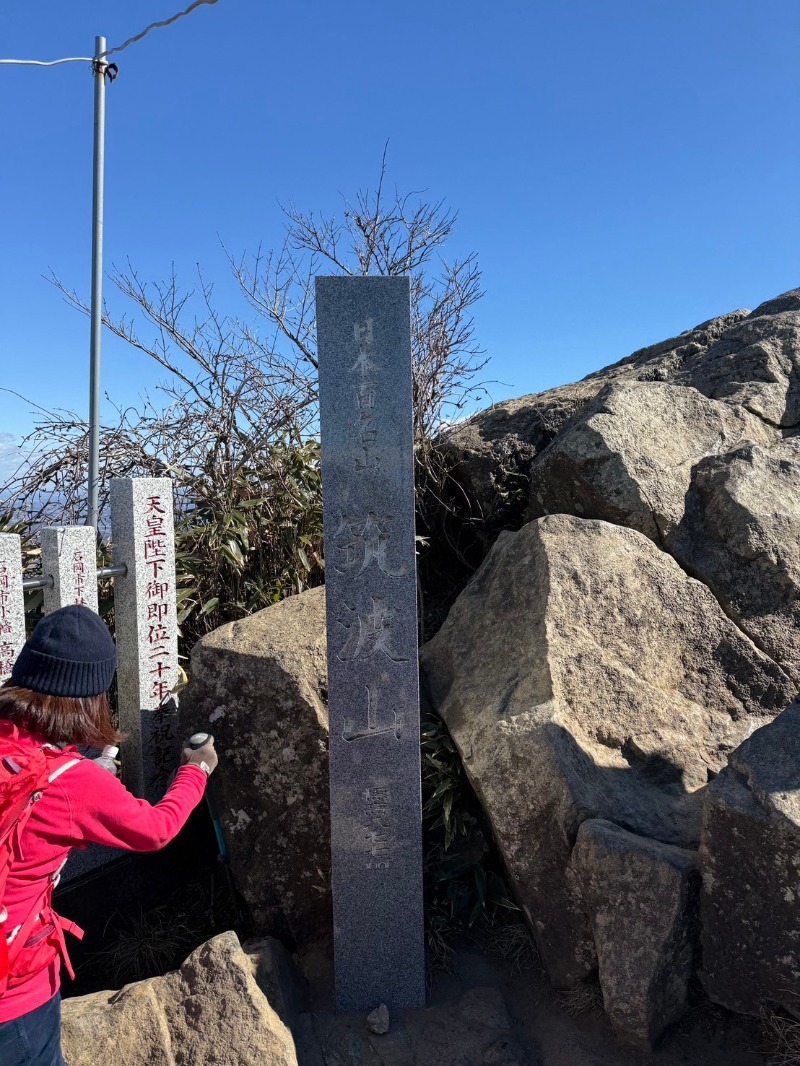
(56, 700)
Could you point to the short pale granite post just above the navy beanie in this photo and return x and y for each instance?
(70, 555)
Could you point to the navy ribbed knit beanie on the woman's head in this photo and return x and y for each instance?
(70, 654)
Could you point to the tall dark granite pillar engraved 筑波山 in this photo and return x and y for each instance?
(364, 343)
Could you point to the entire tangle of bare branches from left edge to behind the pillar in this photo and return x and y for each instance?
(236, 384)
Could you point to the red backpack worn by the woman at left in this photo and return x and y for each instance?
(25, 773)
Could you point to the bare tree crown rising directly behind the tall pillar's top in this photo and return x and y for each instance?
(379, 235)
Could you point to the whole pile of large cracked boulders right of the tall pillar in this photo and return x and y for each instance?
(609, 659)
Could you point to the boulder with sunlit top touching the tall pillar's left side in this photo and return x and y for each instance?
(260, 686)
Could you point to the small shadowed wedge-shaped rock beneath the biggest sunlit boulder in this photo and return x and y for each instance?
(639, 897)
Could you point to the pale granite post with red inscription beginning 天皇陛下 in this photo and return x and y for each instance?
(146, 617)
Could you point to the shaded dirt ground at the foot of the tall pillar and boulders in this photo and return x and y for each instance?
(492, 1013)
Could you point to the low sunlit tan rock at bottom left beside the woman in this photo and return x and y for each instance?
(211, 1011)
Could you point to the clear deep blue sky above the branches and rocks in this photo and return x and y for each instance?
(623, 169)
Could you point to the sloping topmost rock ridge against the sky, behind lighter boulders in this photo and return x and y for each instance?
(749, 361)
